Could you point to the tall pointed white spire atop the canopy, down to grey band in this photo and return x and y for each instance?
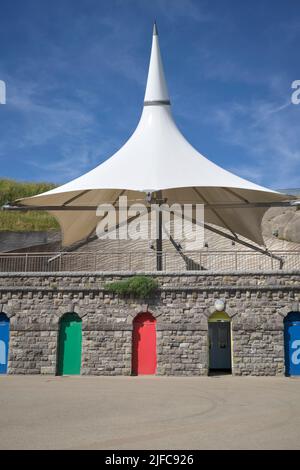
(156, 89)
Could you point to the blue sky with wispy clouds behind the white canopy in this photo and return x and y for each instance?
(76, 70)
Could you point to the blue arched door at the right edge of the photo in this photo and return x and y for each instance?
(292, 343)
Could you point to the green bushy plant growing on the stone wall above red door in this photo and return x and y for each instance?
(138, 286)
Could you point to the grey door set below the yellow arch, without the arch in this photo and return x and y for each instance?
(219, 345)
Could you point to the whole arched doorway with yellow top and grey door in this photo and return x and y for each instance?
(219, 336)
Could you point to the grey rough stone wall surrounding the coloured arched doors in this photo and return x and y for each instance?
(256, 302)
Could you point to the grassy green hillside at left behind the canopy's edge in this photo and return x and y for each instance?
(11, 190)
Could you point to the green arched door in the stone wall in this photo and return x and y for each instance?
(69, 348)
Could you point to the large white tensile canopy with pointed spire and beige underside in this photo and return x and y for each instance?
(158, 159)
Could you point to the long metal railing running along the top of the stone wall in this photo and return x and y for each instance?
(114, 261)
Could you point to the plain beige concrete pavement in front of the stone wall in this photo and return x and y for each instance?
(221, 412)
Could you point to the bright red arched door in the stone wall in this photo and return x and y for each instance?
(144, 344)
